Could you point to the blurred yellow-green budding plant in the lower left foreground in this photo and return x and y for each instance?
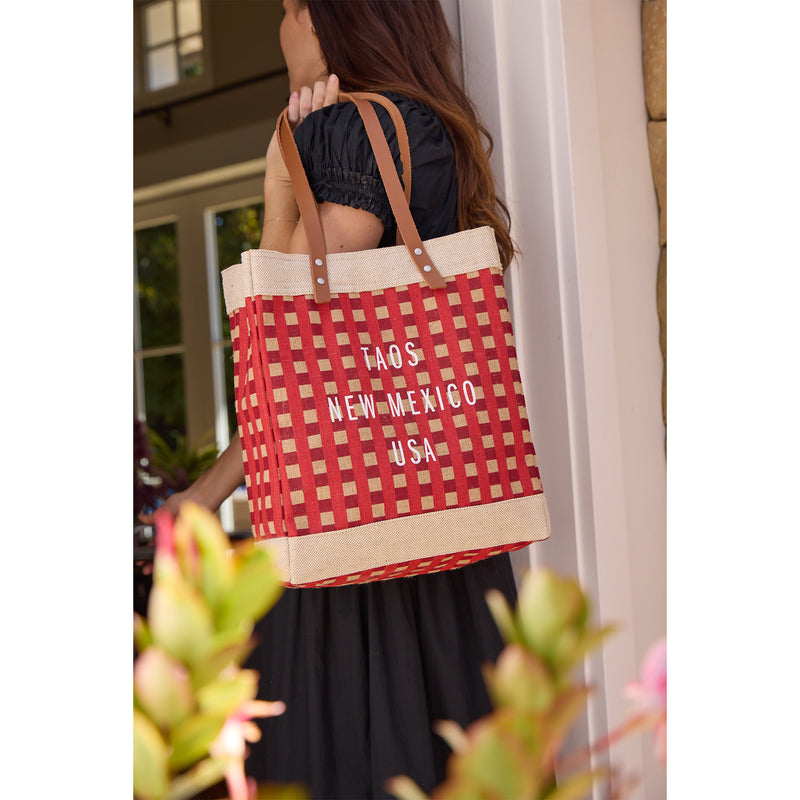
(189, 687)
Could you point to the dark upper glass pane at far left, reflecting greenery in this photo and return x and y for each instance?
(157, 286)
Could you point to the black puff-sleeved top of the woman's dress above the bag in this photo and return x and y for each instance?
(341, 168)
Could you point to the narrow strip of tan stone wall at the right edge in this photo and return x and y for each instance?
(654, 58)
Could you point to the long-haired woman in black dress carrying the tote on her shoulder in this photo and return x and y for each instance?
(366, 670)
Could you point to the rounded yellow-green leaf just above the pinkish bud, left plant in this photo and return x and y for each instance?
(180, 621)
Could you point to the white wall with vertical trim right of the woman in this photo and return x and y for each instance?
(560, 84)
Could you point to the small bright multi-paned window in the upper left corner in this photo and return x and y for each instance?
(172, 42)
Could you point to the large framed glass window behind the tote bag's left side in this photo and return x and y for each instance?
(185, 233)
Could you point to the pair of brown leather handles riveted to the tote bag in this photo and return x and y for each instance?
(397, 195)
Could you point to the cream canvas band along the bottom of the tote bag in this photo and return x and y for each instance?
(317, 557)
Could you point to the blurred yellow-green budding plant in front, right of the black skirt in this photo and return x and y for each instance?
(510, 753)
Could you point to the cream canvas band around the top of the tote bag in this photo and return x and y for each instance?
(266, 272)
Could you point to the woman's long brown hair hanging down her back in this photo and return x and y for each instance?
(405, 46)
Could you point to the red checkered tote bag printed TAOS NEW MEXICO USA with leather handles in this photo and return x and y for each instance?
(378, 397)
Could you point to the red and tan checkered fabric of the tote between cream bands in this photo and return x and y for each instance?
(430, 415)
